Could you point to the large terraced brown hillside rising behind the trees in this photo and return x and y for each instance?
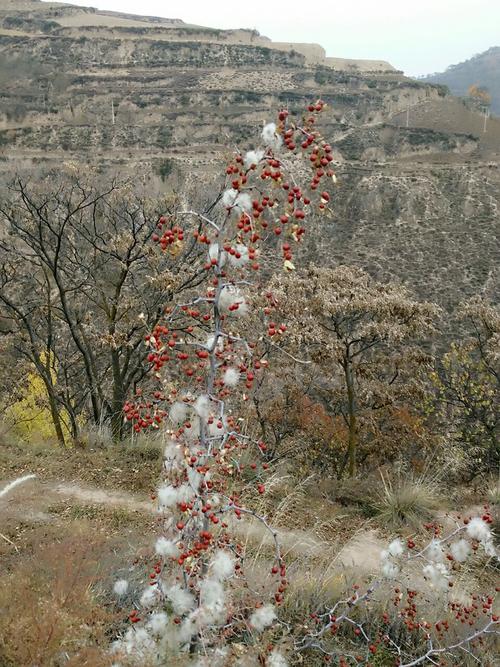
(418, 187)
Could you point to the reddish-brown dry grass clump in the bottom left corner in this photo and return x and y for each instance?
(52, 611)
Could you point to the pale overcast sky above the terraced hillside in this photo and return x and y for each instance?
(418, 36)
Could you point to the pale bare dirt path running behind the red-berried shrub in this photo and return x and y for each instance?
(33, 500)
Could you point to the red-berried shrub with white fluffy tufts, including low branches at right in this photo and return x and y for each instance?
(203, 601)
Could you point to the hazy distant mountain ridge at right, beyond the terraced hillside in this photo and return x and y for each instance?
(482, 69)
